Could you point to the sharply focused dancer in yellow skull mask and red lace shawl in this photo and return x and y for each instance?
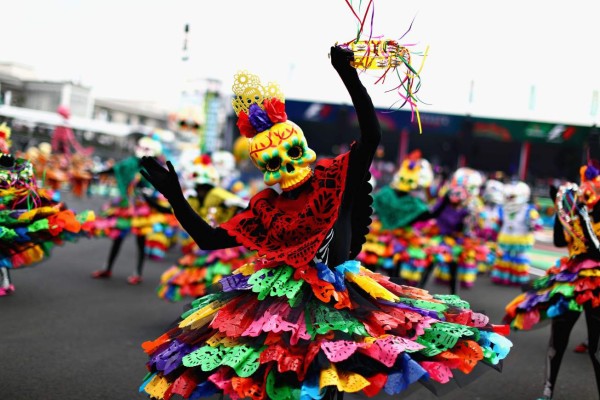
(305, 320)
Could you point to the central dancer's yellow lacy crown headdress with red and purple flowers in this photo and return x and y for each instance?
(258, 107)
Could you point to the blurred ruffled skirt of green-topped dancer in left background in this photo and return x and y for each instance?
(139, 218)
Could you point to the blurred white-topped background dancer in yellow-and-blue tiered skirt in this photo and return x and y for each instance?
(520, 220)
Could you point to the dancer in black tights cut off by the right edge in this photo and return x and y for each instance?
(573, 284)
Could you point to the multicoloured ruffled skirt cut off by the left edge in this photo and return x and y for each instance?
(28, 236)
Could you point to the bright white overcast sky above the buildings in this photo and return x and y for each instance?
(485, 58)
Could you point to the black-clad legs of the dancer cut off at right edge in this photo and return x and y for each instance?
(559, 339)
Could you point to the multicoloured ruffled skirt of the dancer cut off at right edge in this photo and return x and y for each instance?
(566, 286)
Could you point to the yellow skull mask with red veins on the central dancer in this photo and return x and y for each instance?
(282, 155)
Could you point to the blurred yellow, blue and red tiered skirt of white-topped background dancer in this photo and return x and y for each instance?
(512, 268)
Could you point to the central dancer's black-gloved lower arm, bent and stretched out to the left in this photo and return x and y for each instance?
(167, 182)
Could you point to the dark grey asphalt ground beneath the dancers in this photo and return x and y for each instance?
(66, 336)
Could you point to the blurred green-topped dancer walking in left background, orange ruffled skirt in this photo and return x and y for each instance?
(138, 209)
